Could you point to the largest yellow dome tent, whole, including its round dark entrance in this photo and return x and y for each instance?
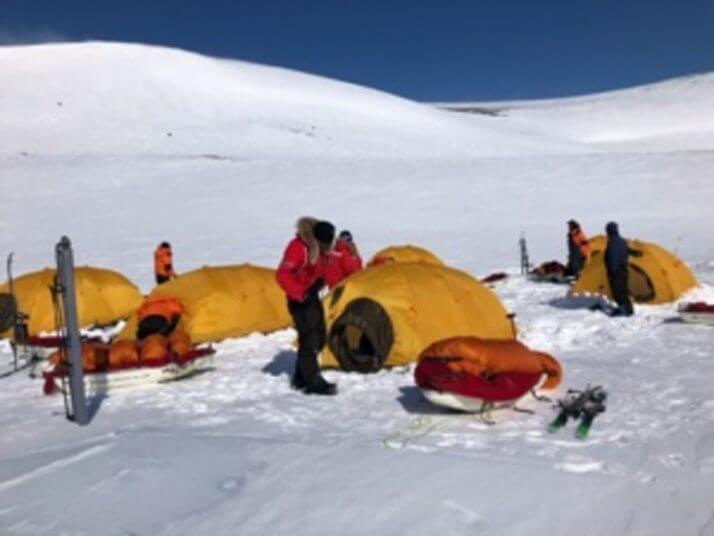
(387, 315)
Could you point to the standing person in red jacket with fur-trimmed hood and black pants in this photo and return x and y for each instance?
(301, 274)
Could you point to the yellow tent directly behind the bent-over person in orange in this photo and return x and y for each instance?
(224, 301)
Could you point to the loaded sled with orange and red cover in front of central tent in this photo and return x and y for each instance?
(471, 374)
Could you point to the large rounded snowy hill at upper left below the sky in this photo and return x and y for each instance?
(90, 98)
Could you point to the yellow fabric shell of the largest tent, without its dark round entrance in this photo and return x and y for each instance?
(425, 303)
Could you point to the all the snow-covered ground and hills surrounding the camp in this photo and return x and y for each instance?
(85, 150)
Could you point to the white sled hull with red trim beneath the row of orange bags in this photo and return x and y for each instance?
(170, 368)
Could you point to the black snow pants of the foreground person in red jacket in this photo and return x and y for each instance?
(309, 320)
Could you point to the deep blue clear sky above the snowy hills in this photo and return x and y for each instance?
(425, 50)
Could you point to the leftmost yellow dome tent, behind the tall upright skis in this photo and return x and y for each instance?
(103, 297)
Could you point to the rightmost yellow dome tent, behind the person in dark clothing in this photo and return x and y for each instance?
(655, 277)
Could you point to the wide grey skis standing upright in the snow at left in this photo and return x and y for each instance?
(65, 275)
